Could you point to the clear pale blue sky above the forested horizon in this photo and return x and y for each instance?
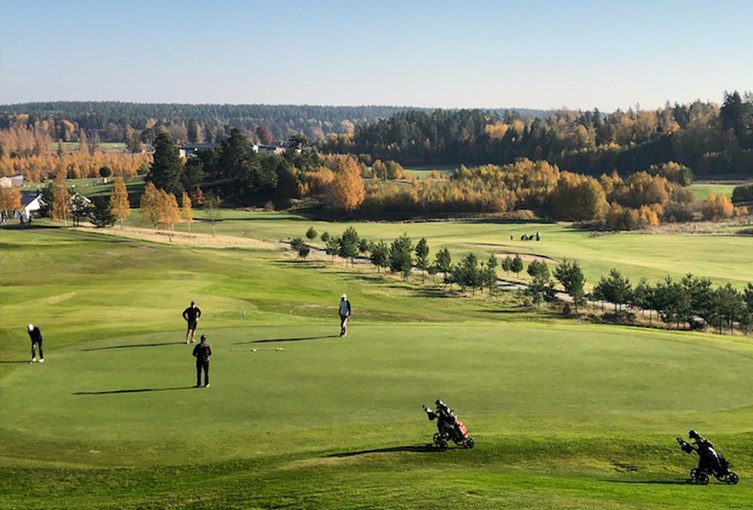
(533, 54)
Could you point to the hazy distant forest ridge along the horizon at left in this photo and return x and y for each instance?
(190, 123)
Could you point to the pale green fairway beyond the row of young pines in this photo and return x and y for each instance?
(635, 254)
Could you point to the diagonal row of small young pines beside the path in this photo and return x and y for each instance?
(690, 303)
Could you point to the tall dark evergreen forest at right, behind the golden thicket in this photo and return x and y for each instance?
(707, 138)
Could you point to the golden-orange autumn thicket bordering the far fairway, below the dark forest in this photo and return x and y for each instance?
(647, 198)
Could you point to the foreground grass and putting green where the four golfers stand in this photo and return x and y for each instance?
(565, 415)
